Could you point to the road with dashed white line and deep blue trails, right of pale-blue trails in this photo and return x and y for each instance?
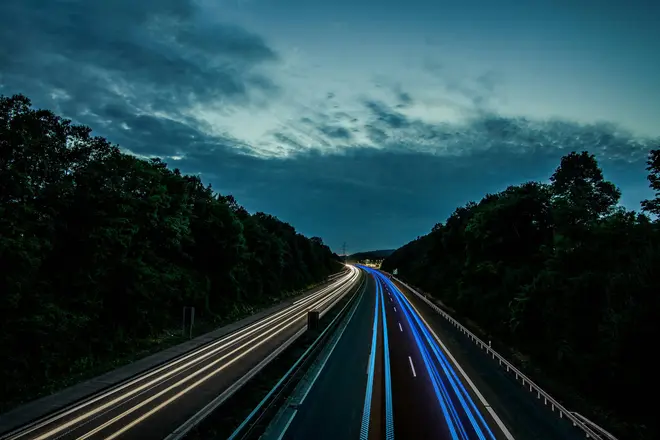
(444, 407)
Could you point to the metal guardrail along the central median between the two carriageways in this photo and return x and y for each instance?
(280, 392)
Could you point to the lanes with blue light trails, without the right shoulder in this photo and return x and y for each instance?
(387, 377)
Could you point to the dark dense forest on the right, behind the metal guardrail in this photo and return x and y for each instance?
(560, 273)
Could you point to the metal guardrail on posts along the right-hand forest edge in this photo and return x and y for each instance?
(590, 429)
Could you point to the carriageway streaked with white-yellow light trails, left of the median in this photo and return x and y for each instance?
(154, 403)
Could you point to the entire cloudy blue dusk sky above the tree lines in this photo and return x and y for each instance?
(361, 122)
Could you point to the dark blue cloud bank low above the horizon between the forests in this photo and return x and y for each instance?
(384, 197)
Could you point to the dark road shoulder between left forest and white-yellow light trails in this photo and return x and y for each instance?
(50, 404)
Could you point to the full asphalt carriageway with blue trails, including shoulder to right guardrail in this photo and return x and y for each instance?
(441, 386)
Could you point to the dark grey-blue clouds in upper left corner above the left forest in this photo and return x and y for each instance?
(131, 69)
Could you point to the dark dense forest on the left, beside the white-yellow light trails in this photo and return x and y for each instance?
(100, 250)
